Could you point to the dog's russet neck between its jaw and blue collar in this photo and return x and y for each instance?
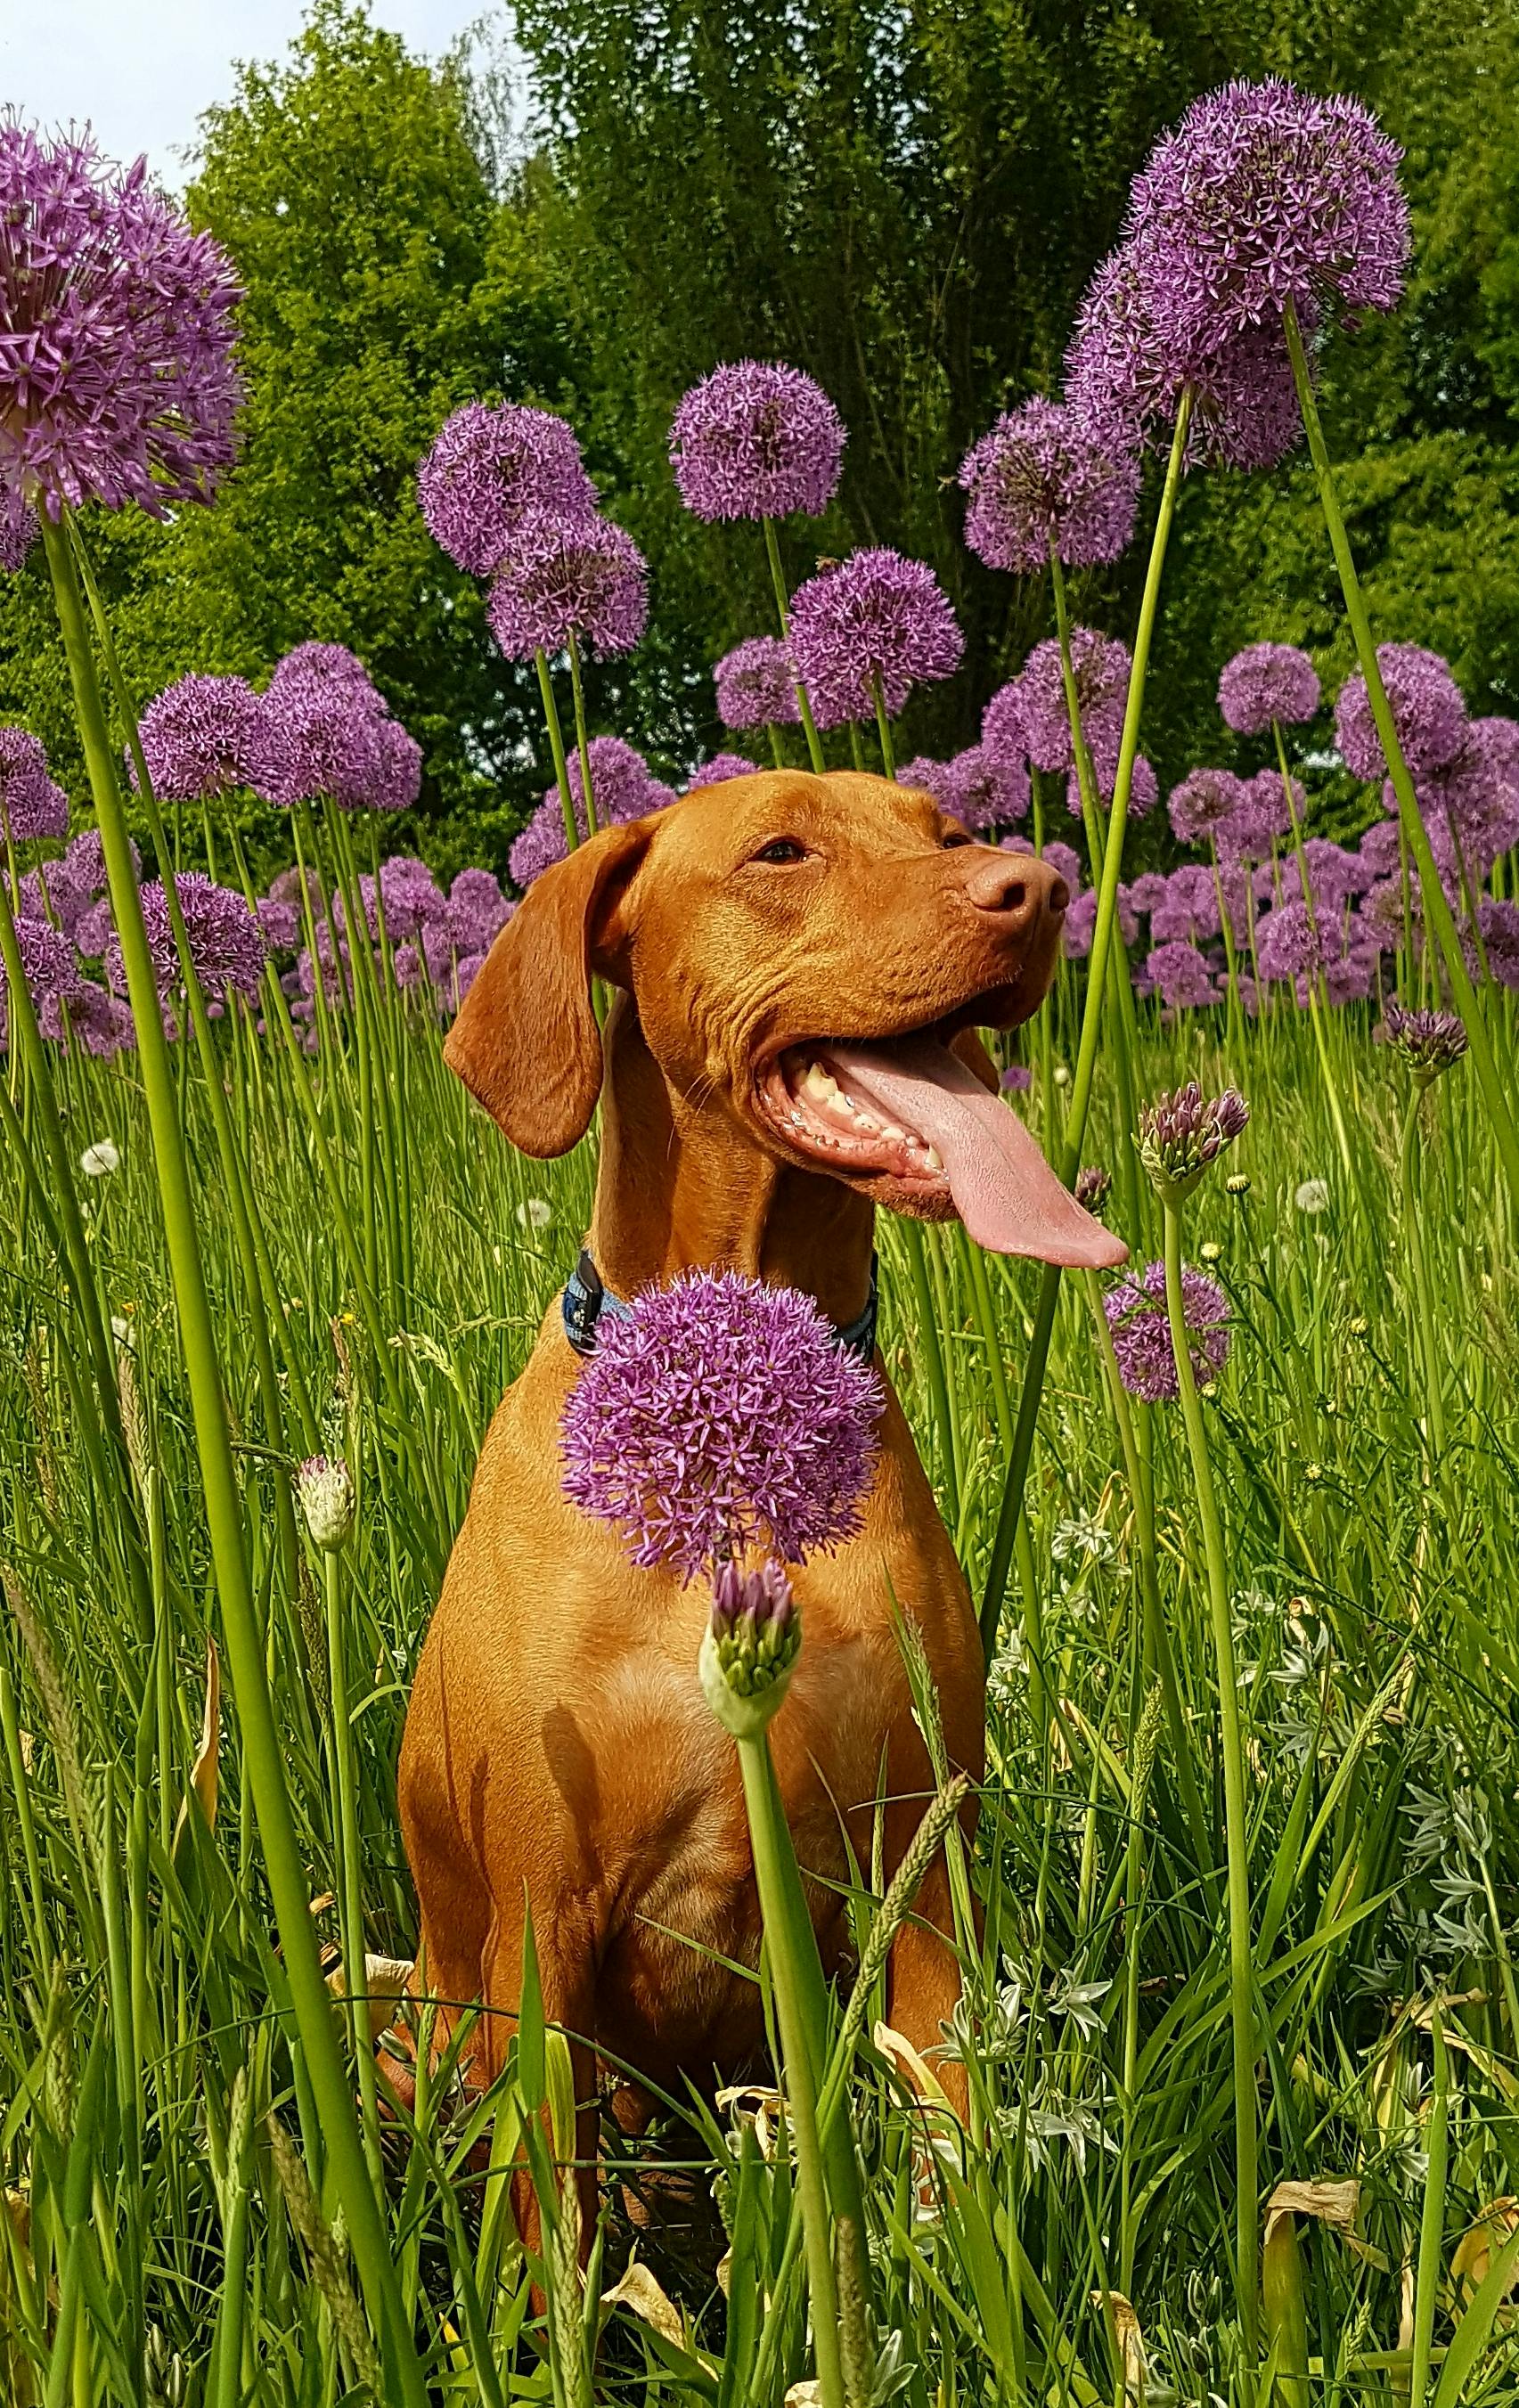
(685, 1188)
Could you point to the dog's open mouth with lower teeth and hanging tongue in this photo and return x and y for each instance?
(914, 1126)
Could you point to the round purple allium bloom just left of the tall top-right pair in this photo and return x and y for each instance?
(1051, 478)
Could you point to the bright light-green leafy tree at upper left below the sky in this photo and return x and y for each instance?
(386, 281)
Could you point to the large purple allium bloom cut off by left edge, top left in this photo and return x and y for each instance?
(117, 374)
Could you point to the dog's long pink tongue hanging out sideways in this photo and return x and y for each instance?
(1005, 1191)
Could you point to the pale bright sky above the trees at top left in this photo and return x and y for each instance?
(143, 71)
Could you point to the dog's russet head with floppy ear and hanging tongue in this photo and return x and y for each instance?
(810, 957)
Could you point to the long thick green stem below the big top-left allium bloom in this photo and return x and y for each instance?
(223, 1506)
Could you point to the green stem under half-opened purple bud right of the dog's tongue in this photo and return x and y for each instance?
(1236, 1826)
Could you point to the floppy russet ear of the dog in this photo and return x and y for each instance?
(526, 1041)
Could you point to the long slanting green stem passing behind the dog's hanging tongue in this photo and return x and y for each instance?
(1087, 1053)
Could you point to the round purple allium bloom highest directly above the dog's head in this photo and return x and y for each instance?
(757, 442)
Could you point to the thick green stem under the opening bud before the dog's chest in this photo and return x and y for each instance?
(803, 2053)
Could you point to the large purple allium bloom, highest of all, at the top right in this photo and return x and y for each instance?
(1270, 196)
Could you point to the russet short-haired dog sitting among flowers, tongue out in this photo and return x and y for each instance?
(803, 964)
